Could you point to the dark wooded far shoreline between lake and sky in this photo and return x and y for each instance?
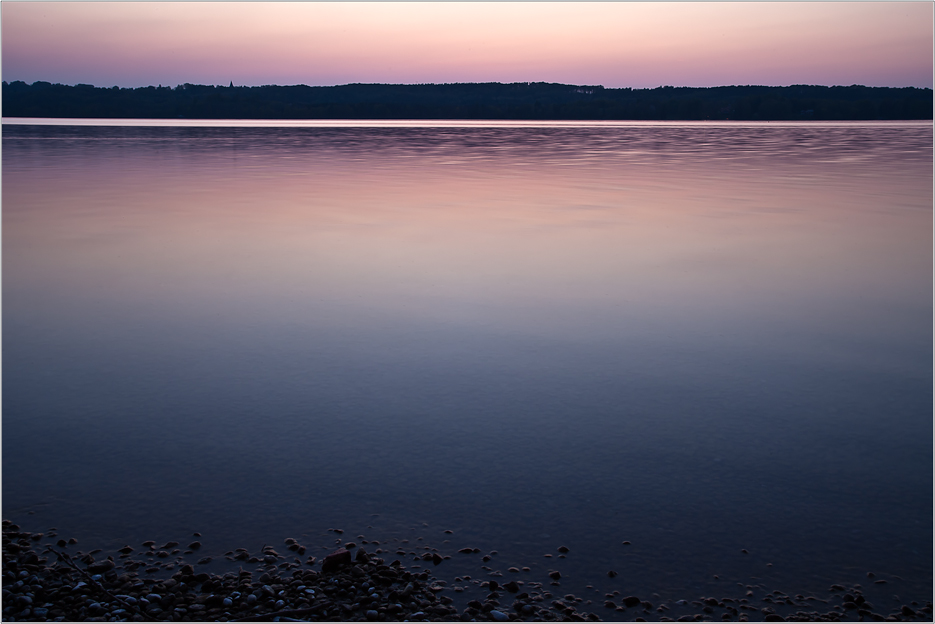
(539, 100)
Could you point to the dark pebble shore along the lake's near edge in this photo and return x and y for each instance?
(48, 577)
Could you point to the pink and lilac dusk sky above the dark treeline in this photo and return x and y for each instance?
(639, 45)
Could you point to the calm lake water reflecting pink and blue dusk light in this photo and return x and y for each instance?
(694, 338)
